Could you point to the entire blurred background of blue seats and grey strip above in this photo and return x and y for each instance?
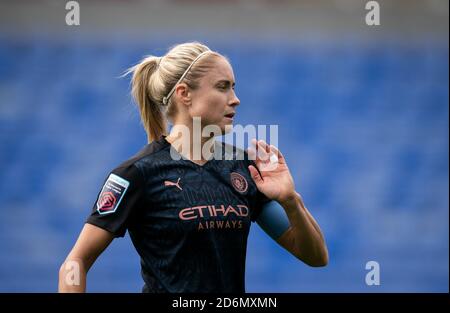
(362, 114)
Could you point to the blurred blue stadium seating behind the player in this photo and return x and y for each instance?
(366, 130)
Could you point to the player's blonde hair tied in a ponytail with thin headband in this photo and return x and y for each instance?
(154, 78)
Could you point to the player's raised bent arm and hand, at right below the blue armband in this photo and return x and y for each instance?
(303, 238)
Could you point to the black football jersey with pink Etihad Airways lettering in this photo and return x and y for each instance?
(189, 223)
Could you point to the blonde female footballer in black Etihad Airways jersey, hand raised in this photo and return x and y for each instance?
(189, 217)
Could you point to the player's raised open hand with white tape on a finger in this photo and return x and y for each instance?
(275, 180)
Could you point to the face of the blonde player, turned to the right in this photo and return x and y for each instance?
(214, 100)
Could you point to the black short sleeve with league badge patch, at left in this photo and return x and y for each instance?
(117, 200)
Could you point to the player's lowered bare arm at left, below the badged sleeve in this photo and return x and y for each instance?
(91, 243)
